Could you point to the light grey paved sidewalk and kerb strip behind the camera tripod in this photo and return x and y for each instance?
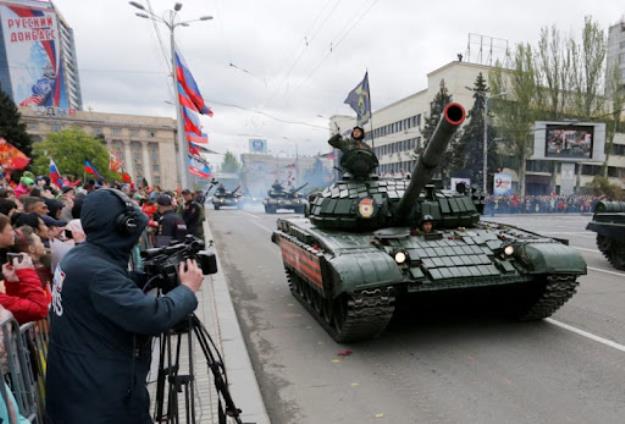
(216, 311)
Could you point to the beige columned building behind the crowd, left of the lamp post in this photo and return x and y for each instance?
(145, 144)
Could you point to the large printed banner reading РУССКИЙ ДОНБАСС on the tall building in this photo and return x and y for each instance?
(32, 47)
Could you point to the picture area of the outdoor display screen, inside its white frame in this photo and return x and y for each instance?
(569, 141)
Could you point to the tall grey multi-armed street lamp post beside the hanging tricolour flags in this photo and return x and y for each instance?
(171, 23)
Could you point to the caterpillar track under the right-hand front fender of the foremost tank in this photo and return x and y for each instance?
(544, 298)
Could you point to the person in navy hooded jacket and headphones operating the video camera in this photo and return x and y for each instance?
(100, 350)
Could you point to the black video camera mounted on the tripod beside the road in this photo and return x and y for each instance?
(161, 264)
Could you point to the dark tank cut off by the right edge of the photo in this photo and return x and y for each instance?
(608, 222)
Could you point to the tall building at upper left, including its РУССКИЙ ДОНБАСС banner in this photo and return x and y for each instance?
(38, 64)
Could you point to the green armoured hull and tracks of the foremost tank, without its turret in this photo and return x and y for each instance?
(350, 281)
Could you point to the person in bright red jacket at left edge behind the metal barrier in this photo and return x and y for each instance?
(24, 298)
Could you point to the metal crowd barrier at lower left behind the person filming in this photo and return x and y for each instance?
(23, 364)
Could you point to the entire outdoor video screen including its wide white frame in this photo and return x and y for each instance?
(569, 142)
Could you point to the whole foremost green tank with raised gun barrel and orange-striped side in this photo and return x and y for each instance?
(360, 248)
